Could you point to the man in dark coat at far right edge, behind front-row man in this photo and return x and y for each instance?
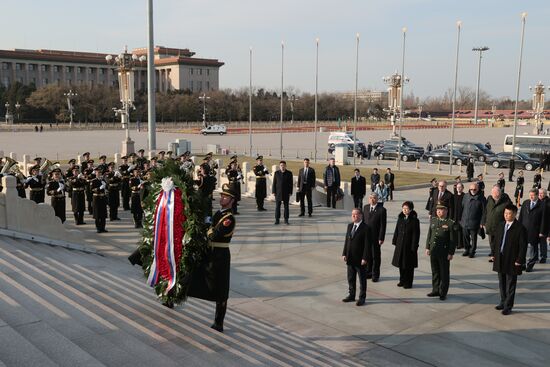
(531, 218)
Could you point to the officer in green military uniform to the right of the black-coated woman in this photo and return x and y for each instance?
(440, 247)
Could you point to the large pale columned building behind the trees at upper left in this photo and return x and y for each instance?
(176, 69)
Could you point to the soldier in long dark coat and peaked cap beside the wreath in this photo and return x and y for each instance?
(211, 281)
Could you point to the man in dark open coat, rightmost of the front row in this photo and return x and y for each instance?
(509, 249)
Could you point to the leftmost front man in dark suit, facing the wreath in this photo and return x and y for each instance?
(356, 255)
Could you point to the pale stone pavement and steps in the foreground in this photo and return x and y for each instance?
(60, 307)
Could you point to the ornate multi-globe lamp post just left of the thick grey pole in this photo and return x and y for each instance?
(125, 63)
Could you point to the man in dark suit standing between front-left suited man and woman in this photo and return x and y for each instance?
(375, 217)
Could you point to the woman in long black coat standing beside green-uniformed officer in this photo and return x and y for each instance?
(406, 239)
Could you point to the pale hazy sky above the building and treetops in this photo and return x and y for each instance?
(226, 29)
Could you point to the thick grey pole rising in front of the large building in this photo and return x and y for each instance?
(151, 87)
